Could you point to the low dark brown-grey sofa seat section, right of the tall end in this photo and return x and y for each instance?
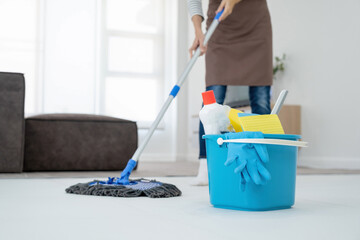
(78, 142)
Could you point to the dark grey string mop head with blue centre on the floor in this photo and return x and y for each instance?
(135, 188)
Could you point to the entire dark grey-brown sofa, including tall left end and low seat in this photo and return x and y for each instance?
(59, 142)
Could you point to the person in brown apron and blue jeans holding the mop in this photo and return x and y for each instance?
(238, 53)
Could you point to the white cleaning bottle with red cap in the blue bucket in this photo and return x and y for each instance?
(214, 116)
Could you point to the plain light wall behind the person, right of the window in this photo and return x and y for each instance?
(321, 40)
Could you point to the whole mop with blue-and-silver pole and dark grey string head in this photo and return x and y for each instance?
(125, 187)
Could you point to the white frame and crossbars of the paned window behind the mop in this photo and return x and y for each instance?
(164, 51)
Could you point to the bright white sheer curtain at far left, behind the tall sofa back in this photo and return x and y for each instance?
(19, 43)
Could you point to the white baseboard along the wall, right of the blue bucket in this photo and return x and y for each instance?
(329, 163)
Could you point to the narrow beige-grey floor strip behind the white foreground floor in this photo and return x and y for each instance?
(149, 169)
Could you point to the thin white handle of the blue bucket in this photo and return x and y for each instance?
(220, 141)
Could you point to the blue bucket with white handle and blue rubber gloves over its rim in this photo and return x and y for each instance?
(276, 184)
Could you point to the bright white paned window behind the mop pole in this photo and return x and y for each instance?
(132, 70)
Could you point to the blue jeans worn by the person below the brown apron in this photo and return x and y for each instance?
(259, 102)
